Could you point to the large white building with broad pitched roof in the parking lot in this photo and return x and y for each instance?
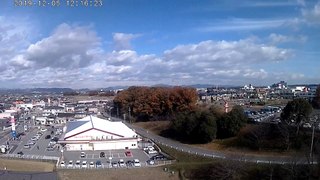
(92, 133)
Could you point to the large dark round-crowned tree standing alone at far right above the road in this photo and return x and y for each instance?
(296, 112)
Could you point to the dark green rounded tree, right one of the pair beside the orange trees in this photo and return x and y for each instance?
(230, 123)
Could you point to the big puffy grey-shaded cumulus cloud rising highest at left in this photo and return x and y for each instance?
(67, 47)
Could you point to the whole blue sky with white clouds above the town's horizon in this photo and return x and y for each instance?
(149, 42)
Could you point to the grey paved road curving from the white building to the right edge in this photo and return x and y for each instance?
(219, 154)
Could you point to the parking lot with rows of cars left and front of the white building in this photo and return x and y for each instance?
(38, 141)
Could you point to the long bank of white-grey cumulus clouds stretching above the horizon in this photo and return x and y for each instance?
(72, 56)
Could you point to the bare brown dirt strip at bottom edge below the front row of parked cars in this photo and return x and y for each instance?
(156, 173)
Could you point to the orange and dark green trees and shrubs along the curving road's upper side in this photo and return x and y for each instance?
(190, 123)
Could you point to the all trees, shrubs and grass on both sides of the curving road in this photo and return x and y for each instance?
(202, 126)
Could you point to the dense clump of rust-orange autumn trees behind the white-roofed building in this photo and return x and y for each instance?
(149, 103)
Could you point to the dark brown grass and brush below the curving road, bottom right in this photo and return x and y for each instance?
(198, 167)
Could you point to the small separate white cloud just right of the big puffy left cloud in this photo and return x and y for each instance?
(122, 41)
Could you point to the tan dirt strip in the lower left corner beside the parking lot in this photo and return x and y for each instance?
(26, 165)
